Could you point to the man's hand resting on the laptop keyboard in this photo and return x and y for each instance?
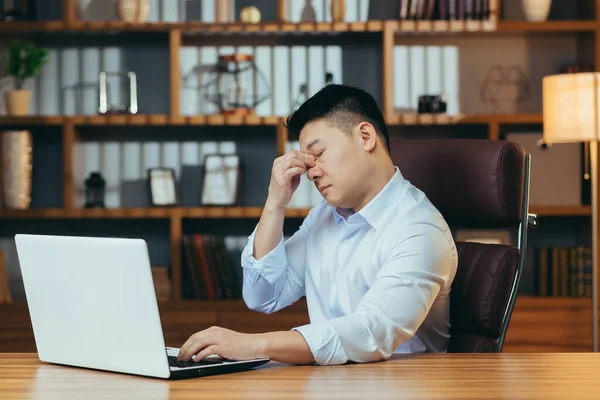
(222, 342)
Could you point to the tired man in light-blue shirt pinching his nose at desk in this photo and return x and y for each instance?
(375, 259)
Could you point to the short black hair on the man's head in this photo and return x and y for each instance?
(342, 106)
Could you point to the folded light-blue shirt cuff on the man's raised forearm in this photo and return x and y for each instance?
(271, 266)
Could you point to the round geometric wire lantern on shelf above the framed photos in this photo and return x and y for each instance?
(236, 85)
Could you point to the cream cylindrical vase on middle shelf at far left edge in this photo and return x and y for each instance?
(16, 169)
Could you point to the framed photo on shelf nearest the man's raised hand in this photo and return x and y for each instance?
(221, 182)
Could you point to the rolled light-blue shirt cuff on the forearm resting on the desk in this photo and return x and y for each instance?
(324, 343)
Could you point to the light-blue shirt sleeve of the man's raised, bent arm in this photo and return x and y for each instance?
(277, 279)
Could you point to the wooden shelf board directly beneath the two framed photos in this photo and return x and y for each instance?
(149, 212)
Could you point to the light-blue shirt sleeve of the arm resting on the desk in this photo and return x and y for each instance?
(413, 272)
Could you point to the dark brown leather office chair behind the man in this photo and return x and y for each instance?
(476, 184)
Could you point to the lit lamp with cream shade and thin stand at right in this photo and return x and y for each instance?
(571, 113)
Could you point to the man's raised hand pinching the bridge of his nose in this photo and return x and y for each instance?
(285, 176)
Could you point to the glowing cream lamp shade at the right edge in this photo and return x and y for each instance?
(571, 109)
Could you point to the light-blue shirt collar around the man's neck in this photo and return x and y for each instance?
(374, 212)
